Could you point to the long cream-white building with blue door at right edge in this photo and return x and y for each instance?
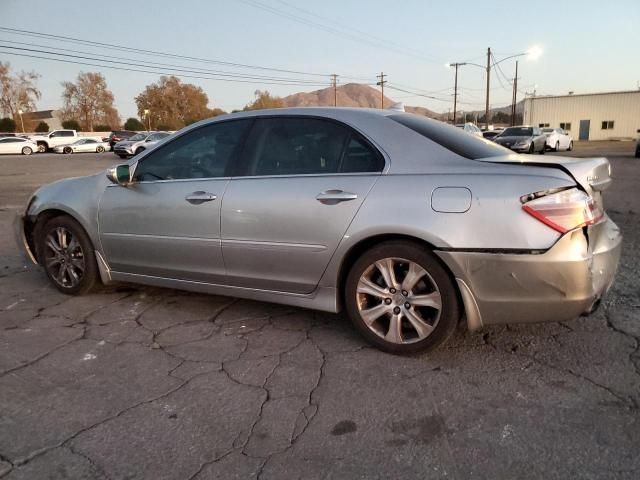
(590, 116)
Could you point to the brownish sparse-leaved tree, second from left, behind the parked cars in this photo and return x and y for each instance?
(89, 101)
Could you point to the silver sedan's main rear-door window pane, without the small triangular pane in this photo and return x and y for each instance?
(295, 146)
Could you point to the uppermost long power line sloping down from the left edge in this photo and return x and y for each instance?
(104, 45)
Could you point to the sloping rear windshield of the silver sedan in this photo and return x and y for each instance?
(451, 138)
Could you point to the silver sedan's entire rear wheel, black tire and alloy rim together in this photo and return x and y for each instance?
(419, 328)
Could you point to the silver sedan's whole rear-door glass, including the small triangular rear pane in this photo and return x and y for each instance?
(304, 146)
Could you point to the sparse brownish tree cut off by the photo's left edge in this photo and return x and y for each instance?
(17, 92)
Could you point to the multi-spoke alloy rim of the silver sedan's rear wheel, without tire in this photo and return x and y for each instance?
(398, 300)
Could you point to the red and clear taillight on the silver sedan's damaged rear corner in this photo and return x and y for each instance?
(563, 211)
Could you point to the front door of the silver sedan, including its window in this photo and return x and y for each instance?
(167, 222)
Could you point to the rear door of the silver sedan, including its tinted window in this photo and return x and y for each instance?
(304, 180)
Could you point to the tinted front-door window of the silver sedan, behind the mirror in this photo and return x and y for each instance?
(202, 153)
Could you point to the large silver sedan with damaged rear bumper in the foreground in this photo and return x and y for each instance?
(405, 222)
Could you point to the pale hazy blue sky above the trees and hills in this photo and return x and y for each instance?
(588, 45)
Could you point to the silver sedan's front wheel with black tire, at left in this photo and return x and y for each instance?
(72, 270)
